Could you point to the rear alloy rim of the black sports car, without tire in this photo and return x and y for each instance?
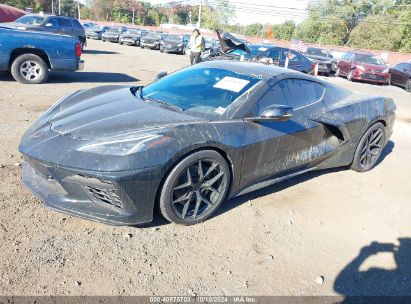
(371, 148)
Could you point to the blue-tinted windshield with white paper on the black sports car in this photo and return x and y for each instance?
(203, 91)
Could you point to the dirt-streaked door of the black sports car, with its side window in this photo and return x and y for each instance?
(275, 147)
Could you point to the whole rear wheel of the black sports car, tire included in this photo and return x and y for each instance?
(369, 148)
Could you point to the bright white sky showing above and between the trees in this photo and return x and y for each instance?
(262, 11)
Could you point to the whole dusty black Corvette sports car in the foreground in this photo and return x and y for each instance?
(195, 138)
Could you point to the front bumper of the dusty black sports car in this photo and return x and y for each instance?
(123, 198)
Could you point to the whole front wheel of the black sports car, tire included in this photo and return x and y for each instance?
(189, 194)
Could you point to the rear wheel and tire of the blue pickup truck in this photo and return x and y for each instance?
(29, 69)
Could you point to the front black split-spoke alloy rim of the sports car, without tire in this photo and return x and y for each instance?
(198, 189)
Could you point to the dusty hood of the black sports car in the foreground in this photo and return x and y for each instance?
(105, 111)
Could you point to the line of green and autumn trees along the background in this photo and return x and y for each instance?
(373, 24)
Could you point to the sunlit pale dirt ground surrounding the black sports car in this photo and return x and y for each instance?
(277, 241)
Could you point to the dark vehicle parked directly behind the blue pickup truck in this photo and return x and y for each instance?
(50, 23)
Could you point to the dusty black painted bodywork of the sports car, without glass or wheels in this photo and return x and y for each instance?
(324, 134)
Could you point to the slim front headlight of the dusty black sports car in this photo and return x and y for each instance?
(121, 147)
